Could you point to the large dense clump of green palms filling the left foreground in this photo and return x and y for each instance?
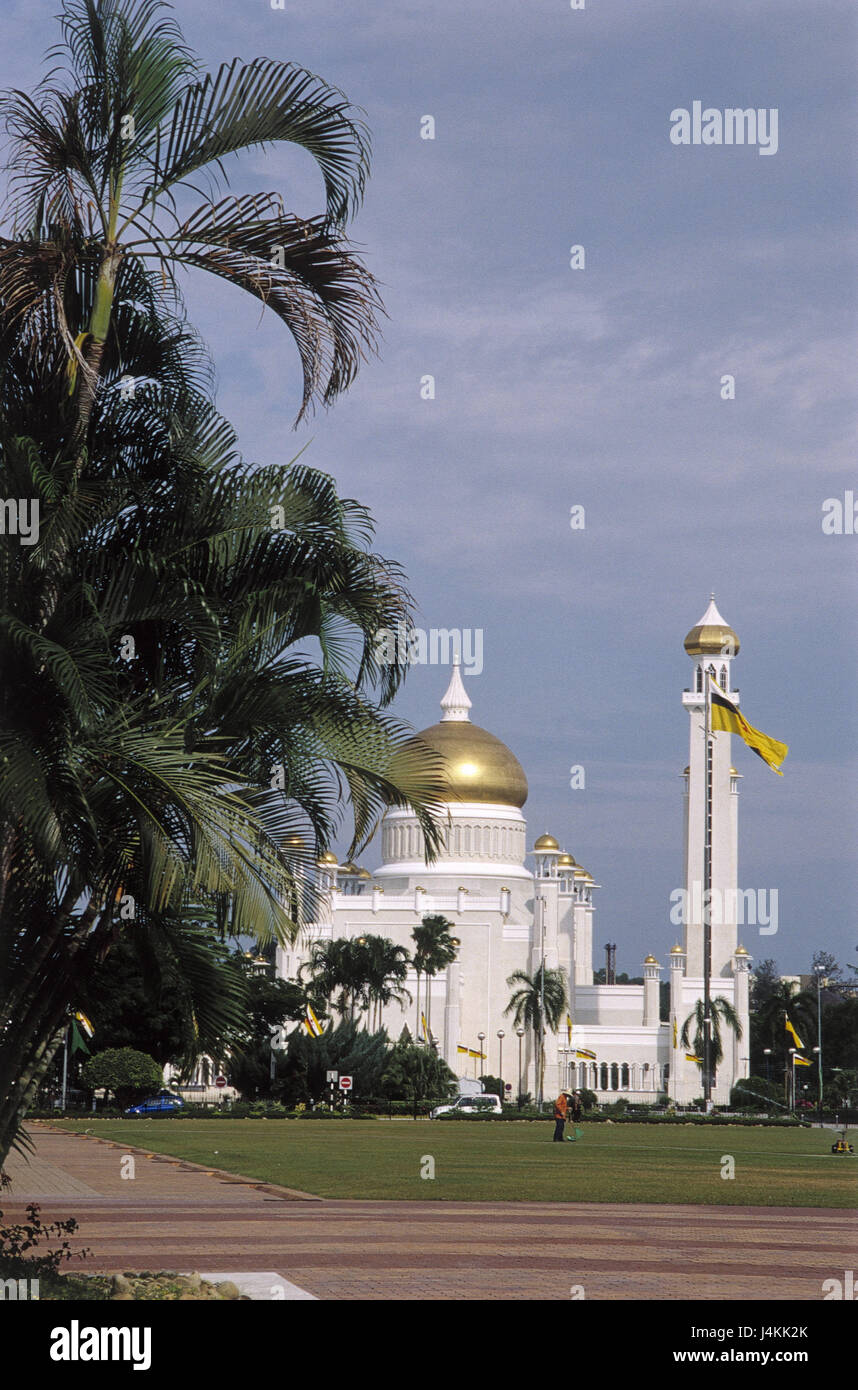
(137, 793)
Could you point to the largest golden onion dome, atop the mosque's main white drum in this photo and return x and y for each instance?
(478, 765)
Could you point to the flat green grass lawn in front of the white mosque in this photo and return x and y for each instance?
(382, 1160)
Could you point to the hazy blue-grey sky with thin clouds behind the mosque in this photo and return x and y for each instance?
(596, 389)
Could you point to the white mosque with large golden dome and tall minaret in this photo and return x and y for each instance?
(512, 908)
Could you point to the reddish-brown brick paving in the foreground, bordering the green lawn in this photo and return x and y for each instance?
(176, 1216)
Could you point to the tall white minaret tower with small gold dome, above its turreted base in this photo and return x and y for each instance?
(713, 646)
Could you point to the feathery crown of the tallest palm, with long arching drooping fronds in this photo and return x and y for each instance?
(116, 141)
